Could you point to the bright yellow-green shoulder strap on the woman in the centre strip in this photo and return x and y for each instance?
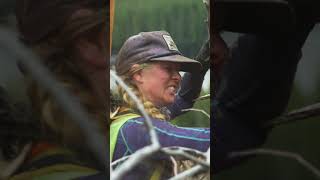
(115, 127)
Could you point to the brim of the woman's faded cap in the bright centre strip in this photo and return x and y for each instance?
(187, 64)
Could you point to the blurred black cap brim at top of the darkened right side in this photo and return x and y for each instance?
(252, 16)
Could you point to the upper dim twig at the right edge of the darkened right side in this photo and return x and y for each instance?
(295, 115)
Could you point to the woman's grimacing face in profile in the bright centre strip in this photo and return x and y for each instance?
(159, 82)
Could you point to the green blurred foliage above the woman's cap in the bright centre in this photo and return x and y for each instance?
(183, 19)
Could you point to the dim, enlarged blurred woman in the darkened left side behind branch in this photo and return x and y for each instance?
(71, 39)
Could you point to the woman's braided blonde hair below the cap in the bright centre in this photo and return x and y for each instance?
(126, 100)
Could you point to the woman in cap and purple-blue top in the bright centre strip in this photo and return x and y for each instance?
(149, 63)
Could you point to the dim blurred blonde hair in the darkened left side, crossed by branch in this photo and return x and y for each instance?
(57, 55)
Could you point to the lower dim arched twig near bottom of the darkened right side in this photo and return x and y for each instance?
(285, 154)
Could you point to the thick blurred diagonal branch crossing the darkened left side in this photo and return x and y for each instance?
(95, 141)
